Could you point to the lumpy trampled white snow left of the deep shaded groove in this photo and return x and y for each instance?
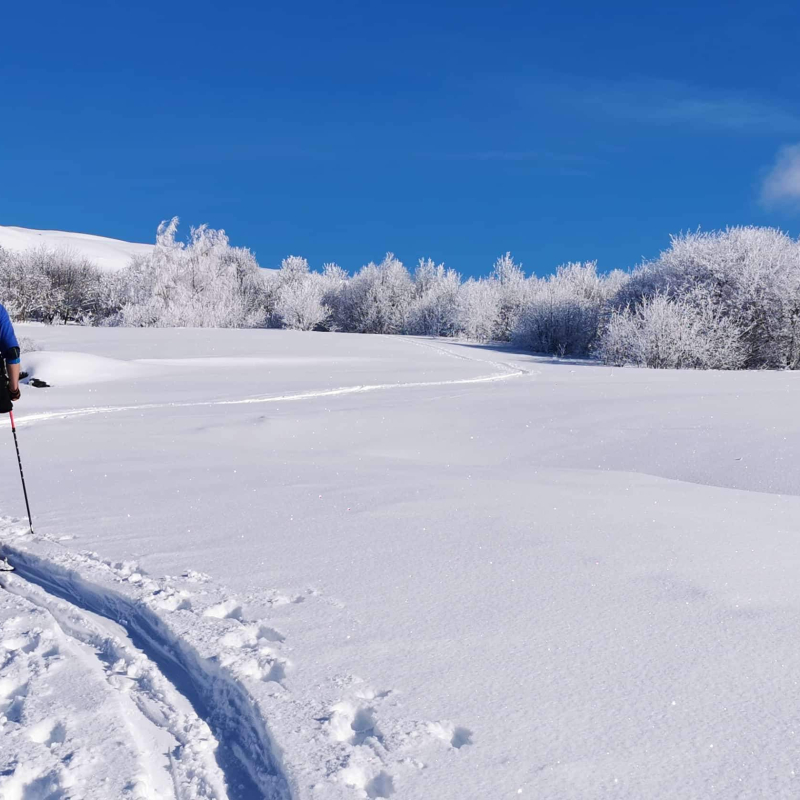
(148, 708)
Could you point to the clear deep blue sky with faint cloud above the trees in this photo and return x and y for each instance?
(457, 131)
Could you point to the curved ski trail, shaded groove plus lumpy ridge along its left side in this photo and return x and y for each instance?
(165, 676)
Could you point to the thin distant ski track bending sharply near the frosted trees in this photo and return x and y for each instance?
(507, 372)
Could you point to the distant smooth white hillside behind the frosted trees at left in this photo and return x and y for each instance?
(108, 254)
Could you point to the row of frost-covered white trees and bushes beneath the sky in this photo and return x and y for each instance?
(720, 300)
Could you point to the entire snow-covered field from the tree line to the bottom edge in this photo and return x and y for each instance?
(276, 564)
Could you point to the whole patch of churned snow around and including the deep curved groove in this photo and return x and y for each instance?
(198, 671)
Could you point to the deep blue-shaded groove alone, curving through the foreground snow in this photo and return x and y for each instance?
(245, 752)
